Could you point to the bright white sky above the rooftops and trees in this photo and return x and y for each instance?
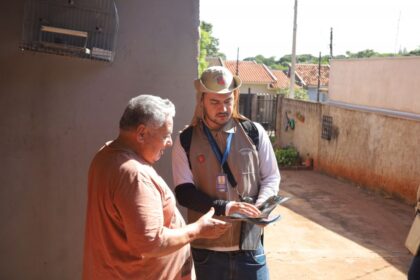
(266, 26)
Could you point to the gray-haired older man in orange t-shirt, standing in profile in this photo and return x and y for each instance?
(133, 227)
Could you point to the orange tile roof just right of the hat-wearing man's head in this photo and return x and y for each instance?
(251, 72)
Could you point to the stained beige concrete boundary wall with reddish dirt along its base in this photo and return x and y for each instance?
(371, 149)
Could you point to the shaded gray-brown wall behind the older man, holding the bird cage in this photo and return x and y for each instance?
(56, 112)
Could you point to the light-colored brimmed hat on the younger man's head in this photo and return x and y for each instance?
(217, 79)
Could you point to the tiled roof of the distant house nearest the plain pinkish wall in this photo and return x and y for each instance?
(308, 73)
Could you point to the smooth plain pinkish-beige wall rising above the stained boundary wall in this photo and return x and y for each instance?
(386, 83)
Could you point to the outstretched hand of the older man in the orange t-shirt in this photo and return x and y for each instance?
(210, 228)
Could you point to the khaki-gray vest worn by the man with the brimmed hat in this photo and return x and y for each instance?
(244, 164)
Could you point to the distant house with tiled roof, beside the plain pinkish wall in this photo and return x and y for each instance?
(307, 77)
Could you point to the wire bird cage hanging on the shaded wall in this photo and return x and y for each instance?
(78, 28)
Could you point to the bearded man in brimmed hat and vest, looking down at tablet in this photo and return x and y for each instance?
(225, 161)
